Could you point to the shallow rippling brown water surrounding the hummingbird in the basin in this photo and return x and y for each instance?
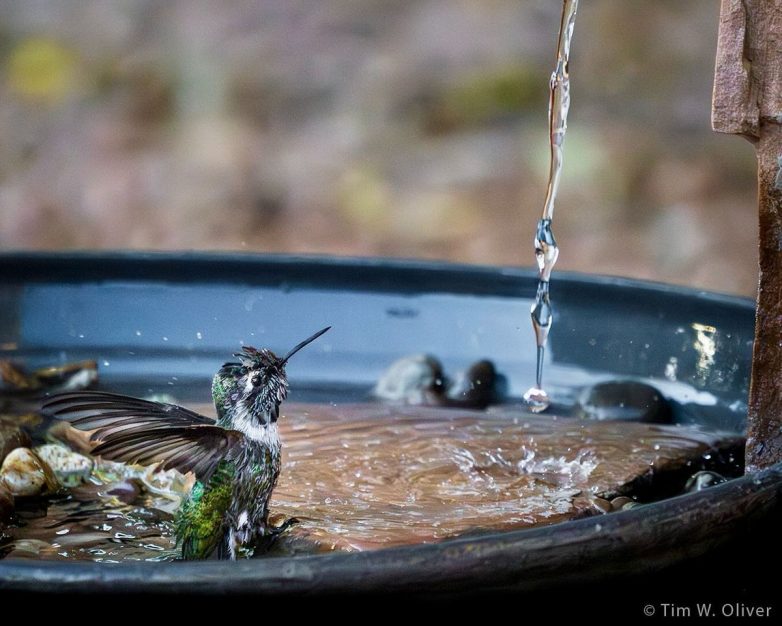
(367, 477)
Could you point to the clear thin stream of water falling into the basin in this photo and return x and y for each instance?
(546, 249)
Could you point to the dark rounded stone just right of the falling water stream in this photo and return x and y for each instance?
(623, 400)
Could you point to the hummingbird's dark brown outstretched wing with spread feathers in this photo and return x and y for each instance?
(141, 431)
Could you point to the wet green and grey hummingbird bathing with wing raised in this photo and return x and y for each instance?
(235, 459)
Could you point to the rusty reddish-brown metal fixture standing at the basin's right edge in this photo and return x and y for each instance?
(748, 101)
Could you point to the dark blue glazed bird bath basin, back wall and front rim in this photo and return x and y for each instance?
(163, 323)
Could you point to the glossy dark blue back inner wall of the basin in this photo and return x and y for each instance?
(173, 319)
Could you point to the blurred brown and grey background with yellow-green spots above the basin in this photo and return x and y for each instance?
(412, 128)
